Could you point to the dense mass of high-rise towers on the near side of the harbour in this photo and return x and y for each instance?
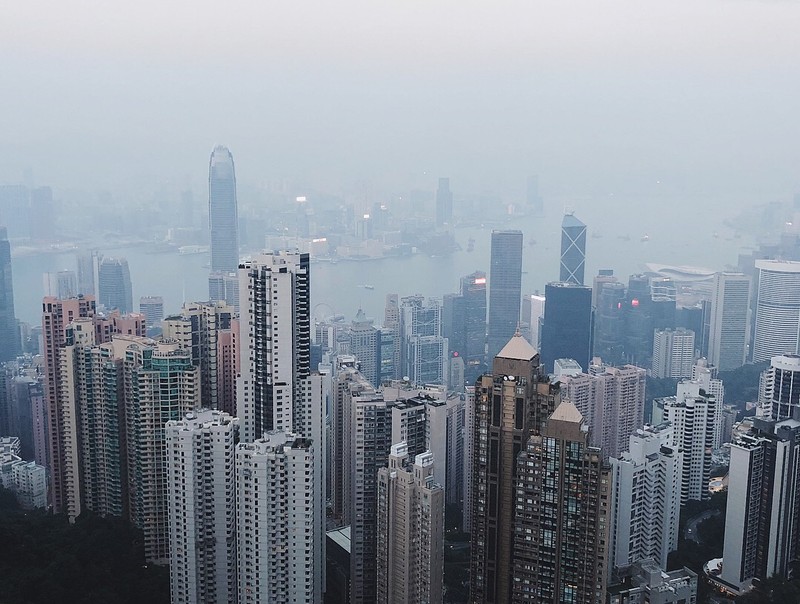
(270, 454)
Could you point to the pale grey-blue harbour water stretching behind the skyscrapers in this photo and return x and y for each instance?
(338, 288)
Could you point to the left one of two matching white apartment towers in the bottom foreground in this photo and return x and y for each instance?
(202, 514)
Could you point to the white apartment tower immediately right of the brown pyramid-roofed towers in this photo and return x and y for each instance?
(646, 498)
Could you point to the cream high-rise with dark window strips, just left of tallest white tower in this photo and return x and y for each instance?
(203, 328)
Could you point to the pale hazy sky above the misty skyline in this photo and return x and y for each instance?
(596, 96)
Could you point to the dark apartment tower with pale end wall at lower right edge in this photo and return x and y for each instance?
(761, 520)
